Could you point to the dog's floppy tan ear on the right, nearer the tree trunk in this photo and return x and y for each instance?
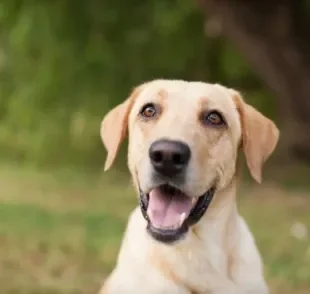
(259, 136)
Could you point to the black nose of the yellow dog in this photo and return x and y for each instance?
(169, 157)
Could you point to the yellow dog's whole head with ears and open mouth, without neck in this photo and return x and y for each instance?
(184, 139)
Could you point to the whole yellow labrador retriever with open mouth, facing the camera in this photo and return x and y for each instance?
(187, 236)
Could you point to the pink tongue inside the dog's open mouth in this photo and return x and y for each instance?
(165, 209)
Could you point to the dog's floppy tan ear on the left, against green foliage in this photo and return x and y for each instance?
(114, 128)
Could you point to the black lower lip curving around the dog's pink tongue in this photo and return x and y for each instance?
(171, 236)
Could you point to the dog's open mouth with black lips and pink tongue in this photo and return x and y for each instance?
(170, 213)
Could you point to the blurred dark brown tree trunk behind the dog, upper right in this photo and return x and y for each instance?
(274, 37)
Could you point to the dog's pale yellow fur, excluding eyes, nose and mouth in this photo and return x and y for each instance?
(219, 254)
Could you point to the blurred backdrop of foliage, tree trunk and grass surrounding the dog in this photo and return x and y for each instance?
(64, 64)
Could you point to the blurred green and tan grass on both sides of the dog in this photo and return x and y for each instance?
(60, 231)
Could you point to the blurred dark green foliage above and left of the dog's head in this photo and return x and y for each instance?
(63, 64)
